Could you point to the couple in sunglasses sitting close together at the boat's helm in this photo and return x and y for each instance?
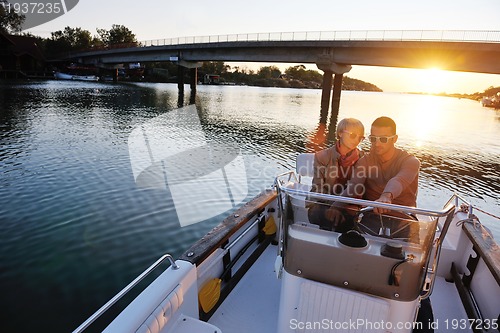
(385, 174)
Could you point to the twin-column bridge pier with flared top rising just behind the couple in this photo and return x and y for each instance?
(329, 69)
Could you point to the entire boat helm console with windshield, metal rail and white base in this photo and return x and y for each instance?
(376, 270)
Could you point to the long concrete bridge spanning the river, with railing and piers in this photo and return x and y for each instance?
(333, 52)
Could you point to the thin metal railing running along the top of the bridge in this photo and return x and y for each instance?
(354, 35)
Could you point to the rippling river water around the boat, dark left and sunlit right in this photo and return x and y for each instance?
(76, 227)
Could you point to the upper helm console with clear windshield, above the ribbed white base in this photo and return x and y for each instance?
(385, 256)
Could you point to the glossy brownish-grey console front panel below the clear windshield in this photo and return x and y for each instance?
(376, 266)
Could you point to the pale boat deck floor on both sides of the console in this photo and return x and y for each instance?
(245, 310)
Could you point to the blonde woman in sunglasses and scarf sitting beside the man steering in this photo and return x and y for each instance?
(333, 168)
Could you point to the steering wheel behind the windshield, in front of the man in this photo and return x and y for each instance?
(399, 225)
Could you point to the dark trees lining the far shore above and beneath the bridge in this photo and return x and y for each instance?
(76, 39)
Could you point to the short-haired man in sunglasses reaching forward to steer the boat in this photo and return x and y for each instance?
(386, 174)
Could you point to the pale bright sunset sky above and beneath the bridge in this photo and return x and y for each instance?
(158, 19)
